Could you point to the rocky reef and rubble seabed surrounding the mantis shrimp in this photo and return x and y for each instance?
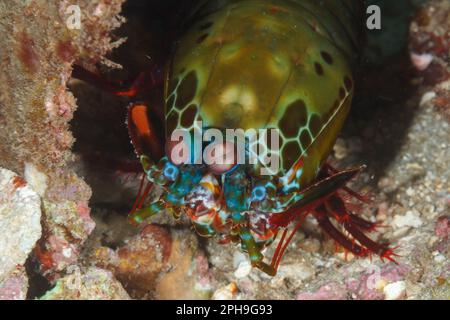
(63, 204)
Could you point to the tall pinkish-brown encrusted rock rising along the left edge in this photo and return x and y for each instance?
(37, 52)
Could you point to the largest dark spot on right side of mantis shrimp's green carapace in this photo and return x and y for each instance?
(295, 117)
